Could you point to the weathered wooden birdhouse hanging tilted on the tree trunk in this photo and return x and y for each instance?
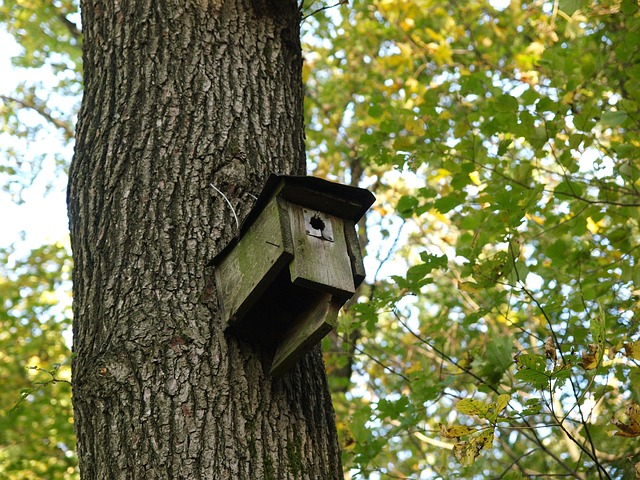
(295, 262)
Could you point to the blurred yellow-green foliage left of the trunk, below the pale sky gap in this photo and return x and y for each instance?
(36, 427)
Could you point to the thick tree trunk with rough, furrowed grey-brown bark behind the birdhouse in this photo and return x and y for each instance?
(181, 94)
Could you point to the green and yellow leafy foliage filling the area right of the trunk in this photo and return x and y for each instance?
(503, 138)
